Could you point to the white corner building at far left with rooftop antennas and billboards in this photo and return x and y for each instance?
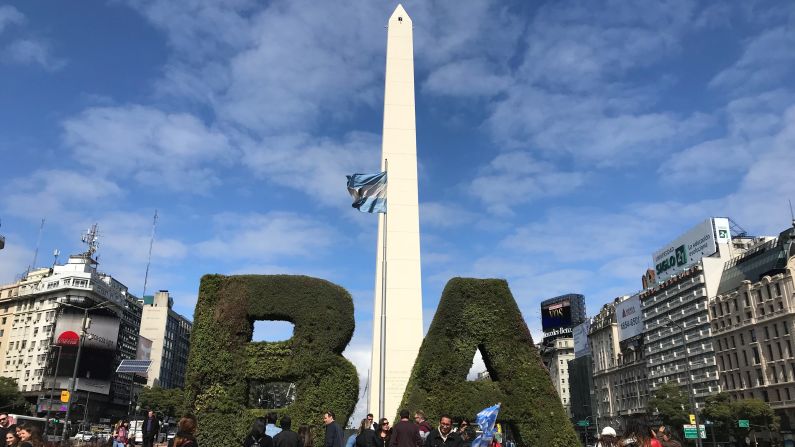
(44, 314)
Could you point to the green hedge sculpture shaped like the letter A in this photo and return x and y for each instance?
(482, 314)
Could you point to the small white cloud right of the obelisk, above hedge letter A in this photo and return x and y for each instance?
(515, 178)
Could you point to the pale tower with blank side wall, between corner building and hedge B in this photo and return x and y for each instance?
(169, 333)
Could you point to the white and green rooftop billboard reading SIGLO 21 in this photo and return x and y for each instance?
(688, 249)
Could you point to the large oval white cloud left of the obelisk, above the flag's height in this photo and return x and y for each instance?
(171, 150)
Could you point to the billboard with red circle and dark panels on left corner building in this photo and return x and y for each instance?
(97, 358)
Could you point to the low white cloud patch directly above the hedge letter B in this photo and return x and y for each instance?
(271, 236)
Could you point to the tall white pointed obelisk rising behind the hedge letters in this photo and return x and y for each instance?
(398, 274)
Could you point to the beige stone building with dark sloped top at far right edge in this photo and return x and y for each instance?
(753, 322)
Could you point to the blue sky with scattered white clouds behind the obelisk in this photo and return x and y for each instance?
(559, 143)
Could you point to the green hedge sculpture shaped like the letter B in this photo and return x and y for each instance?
(223, 359)
